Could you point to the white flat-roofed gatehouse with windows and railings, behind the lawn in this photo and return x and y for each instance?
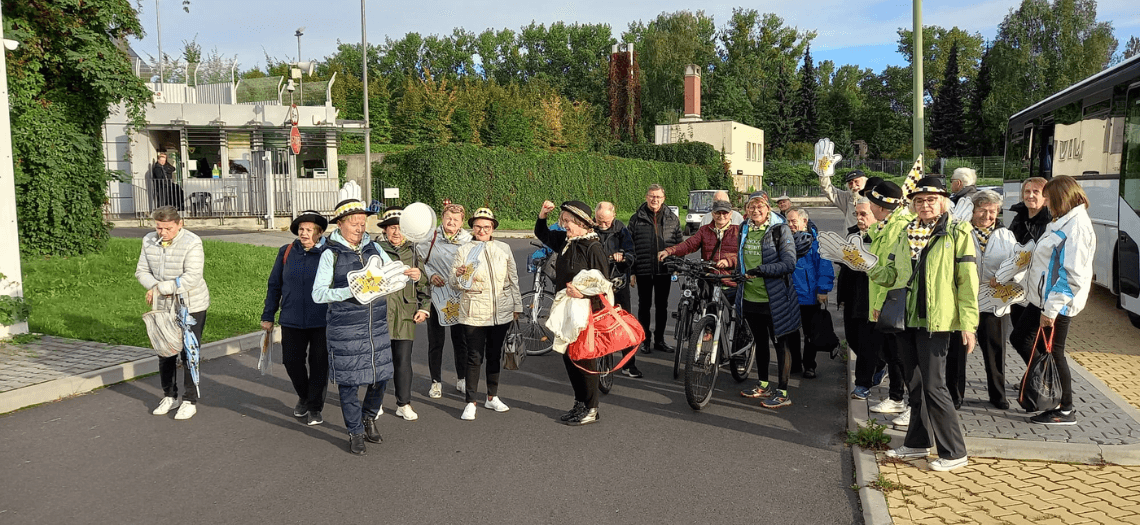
(230, 145)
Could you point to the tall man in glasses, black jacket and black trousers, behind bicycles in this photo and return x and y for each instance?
(654, 228)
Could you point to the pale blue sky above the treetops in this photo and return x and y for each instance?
(862, 34)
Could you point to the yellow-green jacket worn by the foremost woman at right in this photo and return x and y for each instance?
(944, 297)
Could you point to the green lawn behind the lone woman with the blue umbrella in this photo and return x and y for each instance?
(96, 298)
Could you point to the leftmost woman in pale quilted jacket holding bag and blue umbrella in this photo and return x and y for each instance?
(172, 265)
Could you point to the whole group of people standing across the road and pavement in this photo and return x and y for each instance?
(466, 284)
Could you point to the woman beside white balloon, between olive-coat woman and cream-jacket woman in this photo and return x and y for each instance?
(438, 255)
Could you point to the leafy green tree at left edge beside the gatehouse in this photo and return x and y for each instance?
(63, 80)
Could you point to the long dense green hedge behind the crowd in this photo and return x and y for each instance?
(515, 184)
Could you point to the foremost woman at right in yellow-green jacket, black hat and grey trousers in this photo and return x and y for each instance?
(934, 259)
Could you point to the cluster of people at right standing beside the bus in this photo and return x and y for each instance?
(939, 258)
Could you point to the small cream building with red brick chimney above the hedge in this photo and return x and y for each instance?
(743, 145)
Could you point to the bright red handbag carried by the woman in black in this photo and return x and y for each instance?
(610, 330)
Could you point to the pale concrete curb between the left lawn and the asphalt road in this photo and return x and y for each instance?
(82, 384)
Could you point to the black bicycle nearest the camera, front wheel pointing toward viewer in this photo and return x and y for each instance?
(716, 319)
